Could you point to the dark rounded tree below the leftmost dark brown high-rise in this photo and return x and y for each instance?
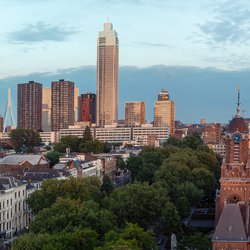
(24, 140)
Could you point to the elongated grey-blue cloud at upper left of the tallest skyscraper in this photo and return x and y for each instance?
(40, 32)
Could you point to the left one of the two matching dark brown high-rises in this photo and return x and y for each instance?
(29, 109)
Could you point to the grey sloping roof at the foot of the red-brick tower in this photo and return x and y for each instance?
(231, 225)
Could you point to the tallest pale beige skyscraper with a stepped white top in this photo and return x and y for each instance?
(107, 76)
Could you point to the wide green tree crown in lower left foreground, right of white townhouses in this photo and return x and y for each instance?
(67, 214)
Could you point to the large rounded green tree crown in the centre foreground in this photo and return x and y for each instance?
(139, 203)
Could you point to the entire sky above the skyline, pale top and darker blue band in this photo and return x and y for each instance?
(205, 39)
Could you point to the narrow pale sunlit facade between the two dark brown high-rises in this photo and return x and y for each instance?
(46, 110)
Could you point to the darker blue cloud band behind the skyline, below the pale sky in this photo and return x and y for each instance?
(198, 93)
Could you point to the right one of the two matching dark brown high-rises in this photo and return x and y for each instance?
(62, 108)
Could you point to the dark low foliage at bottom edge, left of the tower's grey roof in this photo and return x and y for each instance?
(193, 242)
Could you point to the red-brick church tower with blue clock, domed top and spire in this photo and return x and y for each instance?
(232, 224)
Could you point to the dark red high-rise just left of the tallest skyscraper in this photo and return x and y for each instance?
(88, 108)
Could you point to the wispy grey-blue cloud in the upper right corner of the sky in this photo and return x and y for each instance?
(230, 23)
